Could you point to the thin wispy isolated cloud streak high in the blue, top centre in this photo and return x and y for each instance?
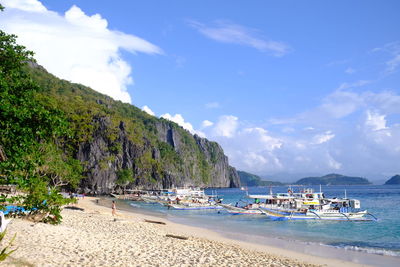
(228, 32)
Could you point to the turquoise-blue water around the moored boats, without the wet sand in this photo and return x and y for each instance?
(375, 237)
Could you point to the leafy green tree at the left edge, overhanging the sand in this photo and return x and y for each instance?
(30, 124)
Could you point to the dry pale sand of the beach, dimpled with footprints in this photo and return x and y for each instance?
(93, 237)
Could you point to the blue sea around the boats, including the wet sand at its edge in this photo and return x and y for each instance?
(366, 242)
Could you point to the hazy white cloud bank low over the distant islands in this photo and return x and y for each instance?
(349, 132)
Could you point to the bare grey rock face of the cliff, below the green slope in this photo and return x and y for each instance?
(180, 159)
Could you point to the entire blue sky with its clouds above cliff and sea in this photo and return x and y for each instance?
(287, 88)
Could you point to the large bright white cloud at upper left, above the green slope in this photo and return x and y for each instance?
(75, 46)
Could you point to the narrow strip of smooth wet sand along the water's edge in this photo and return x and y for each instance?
(321, 252)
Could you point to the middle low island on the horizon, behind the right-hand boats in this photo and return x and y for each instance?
(333, 179)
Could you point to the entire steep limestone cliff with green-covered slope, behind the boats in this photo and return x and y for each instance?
(110, 137)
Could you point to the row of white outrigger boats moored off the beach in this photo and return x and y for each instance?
(303, 205)
